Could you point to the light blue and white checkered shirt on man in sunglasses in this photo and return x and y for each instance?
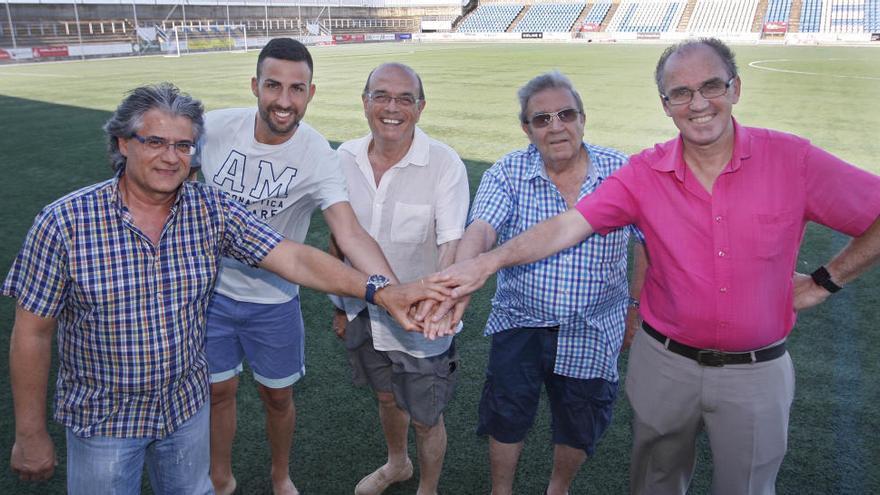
(583, 289)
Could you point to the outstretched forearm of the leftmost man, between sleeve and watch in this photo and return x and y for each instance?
(310, 267)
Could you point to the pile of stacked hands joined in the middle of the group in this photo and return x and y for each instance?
(432, 305)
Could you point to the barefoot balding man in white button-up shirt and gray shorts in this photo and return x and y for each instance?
(410, 192)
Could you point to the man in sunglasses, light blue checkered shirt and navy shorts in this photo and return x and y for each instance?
(559, 321)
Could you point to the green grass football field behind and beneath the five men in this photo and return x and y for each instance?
(50, 119)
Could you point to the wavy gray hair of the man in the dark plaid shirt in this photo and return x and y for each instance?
(128, 117)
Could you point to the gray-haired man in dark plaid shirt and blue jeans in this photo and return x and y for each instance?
(125, 269)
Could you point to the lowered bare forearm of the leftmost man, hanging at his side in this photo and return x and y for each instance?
(30, 355)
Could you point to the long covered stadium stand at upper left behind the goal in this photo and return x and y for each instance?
(61, 22)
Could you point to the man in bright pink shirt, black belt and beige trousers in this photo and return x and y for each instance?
(723, 208)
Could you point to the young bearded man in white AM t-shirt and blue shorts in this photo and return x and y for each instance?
(282, 169)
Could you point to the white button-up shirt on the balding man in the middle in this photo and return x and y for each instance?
(420, 203)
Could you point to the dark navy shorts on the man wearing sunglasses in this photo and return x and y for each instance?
(520, 361)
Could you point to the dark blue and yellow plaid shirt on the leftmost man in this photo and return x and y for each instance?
(131, 315)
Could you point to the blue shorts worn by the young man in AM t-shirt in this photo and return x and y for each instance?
(270, 336)
